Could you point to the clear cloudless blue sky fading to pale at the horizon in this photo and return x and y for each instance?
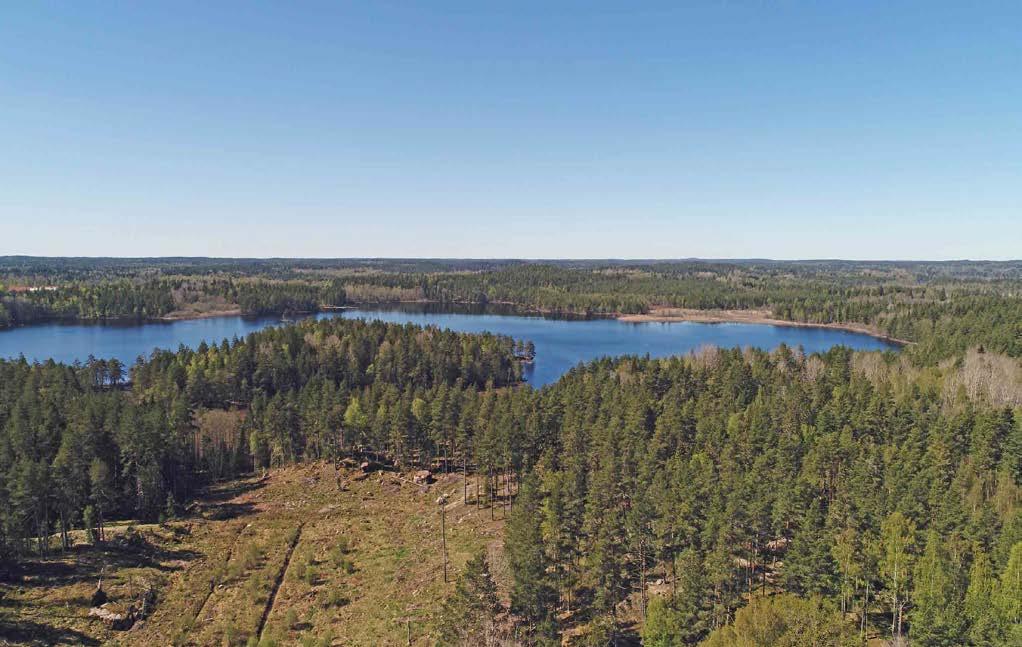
(727, 129)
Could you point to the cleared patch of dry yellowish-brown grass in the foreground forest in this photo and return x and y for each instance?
(366, 569)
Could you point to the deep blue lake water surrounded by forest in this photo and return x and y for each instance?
(561, 344)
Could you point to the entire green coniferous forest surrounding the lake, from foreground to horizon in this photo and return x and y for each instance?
(733, 497)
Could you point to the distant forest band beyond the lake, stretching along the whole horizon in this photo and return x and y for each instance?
(945, 308)
